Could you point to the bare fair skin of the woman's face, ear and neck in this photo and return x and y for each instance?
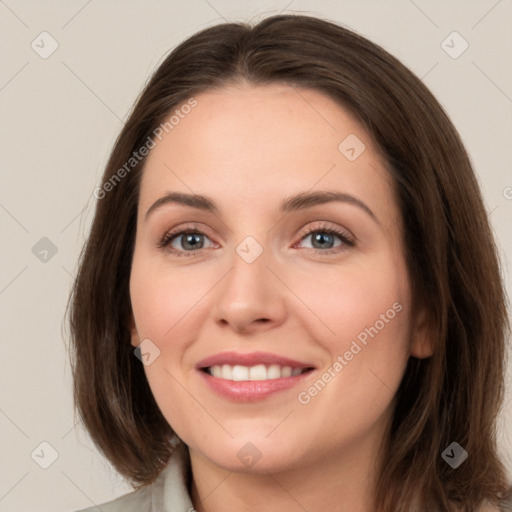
(249, 147)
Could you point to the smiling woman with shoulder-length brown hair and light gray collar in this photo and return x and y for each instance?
(290, 297)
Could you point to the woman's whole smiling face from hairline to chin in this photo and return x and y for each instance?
(277, 327)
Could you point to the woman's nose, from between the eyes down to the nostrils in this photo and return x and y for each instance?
(251, 297)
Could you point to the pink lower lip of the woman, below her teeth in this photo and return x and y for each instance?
(251, 390)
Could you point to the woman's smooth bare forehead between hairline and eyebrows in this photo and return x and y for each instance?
(257, 144)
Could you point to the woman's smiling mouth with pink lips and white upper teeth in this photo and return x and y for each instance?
(251, 377)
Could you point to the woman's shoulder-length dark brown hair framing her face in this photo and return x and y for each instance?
(451, 256)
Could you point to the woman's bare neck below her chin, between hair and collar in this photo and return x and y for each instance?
(342, 482)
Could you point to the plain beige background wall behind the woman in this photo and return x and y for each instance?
(60, 117)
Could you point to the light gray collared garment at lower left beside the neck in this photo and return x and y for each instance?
(168, 493)
